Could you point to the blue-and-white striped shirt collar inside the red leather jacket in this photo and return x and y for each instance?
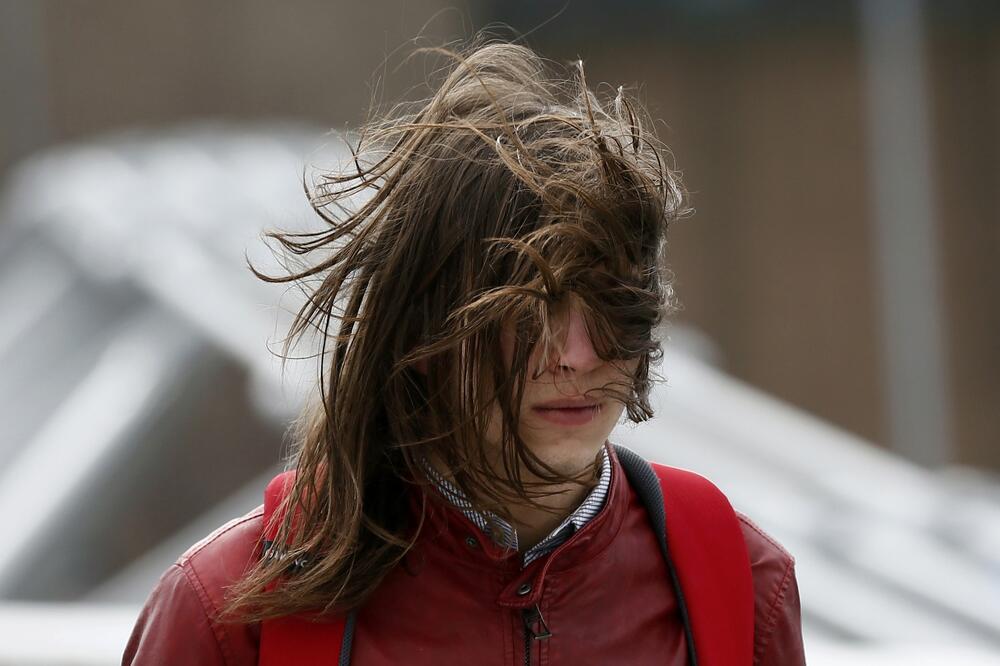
(507, 536)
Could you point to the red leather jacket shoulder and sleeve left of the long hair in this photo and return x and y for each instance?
(178, 623)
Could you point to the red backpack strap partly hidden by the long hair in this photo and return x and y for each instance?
(298, 639)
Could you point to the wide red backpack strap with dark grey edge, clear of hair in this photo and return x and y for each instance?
(707, 558)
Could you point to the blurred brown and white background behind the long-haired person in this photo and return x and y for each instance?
(835, 367)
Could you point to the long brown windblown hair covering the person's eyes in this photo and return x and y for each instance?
(483, 208)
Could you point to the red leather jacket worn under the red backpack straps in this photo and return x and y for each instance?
(605, 596)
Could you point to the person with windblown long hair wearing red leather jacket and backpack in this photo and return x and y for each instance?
(494, 261)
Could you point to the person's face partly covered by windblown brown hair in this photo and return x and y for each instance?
(567, 438)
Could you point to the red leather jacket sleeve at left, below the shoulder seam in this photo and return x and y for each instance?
(173, 626)
